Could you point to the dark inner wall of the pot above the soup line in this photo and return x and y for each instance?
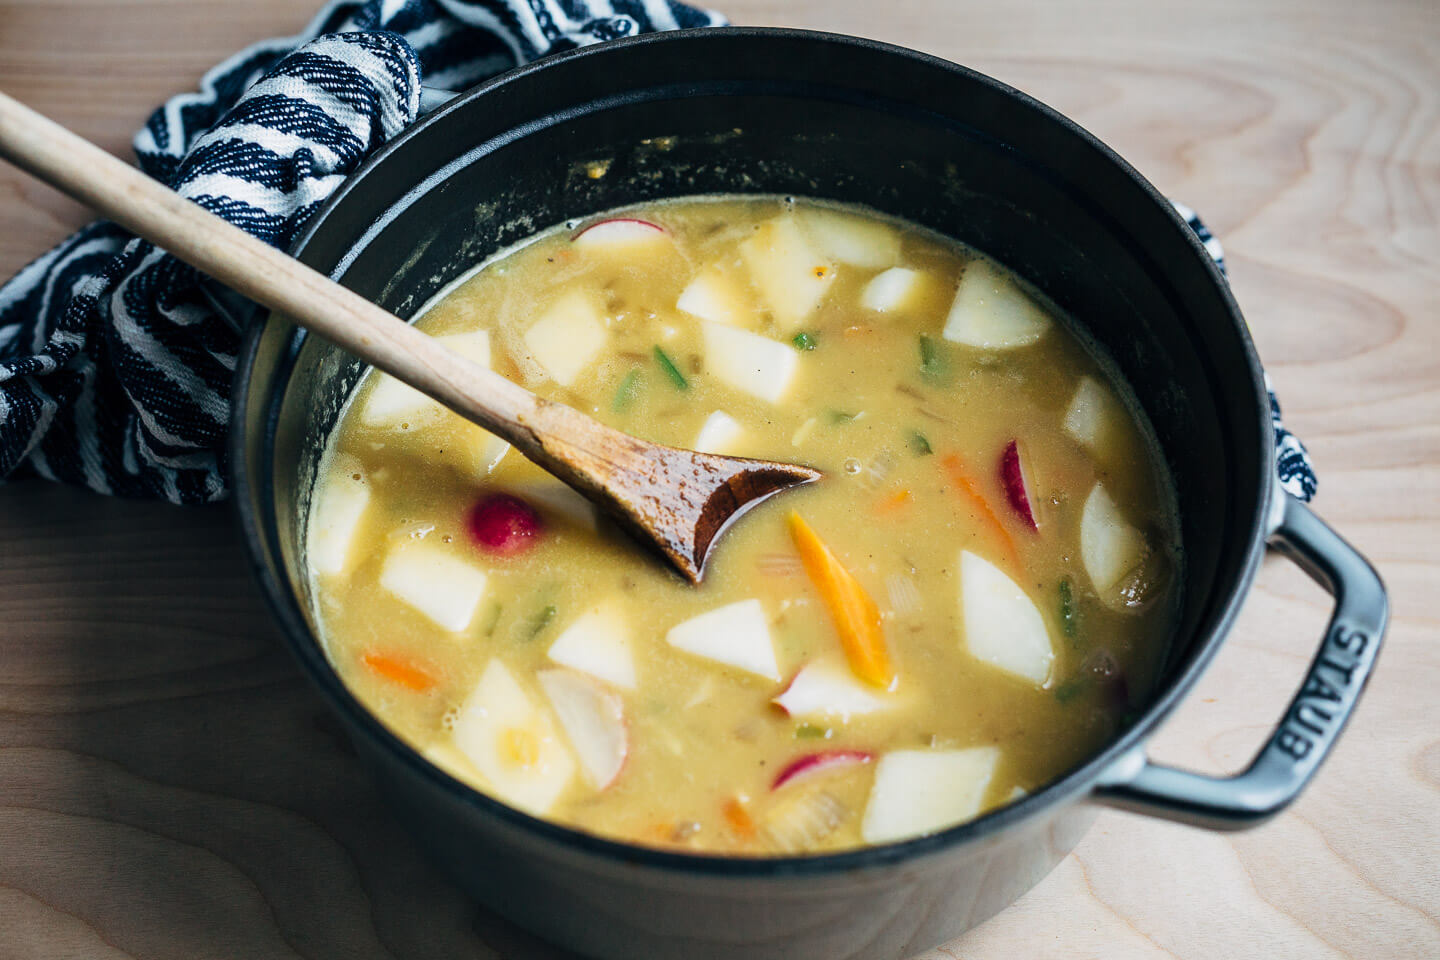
(790, 114)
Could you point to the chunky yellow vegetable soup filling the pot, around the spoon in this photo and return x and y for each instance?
(971, 602)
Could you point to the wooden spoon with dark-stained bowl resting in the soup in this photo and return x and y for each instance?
(678, 502)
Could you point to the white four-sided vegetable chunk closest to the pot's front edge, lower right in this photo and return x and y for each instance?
(922, 791)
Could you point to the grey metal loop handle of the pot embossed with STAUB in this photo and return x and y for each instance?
(1315, 717)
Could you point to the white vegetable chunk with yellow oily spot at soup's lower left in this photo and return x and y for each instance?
(512, 743)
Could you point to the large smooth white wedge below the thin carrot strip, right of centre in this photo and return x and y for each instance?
(1003, 627)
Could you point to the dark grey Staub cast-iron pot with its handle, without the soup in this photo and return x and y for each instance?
(809, 114)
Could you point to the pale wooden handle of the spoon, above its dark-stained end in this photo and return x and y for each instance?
(266, 276)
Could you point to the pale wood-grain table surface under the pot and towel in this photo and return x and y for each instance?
(171, 788)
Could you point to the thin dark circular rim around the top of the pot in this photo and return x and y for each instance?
(1072, 787)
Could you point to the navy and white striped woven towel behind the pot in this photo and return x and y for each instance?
(114, 368)
